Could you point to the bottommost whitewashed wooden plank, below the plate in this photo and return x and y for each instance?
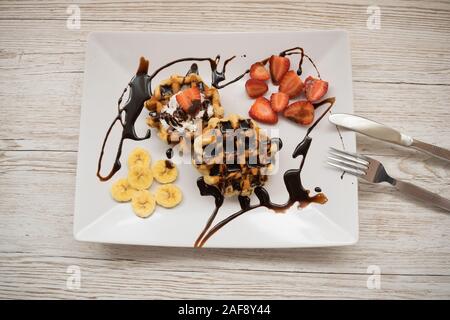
(45, 277)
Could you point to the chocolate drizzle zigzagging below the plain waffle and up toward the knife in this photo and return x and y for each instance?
(292, 180)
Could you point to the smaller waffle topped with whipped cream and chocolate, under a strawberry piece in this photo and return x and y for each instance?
(172, 122)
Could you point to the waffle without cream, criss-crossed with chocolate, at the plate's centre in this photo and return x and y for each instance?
(234, 155)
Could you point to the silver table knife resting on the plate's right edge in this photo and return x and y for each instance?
(380, 131)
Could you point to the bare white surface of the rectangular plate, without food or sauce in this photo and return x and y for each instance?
(112, 60)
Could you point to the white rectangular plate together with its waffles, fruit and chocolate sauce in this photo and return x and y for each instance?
(221, 143)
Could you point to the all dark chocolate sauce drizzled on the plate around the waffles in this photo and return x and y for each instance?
(140, 91)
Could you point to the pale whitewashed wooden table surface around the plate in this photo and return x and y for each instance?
(401, 77)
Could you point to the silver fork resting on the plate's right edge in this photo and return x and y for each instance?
(373, 171)
